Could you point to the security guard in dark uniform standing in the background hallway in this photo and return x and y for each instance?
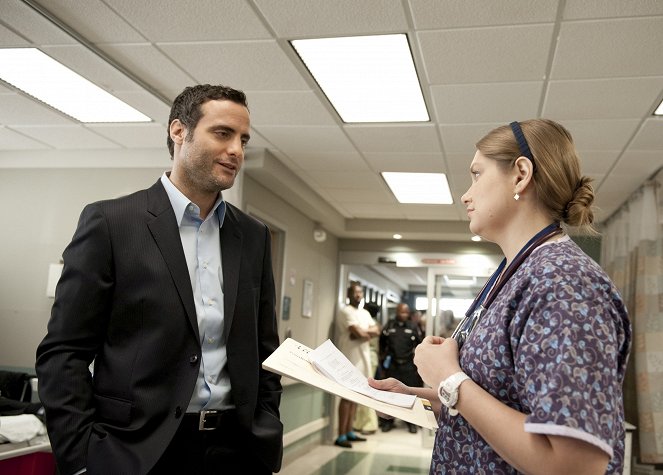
(398, 340)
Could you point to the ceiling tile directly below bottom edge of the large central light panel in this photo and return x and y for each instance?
(394, 138)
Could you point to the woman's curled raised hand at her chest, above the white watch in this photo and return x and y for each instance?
(436, 359)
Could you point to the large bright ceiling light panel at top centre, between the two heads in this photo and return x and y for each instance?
(366, 78)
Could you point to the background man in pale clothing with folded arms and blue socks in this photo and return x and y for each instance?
(354, 329)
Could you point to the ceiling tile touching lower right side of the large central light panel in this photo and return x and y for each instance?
(496, 102)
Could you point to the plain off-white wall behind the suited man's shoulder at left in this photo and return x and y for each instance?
(40, 213)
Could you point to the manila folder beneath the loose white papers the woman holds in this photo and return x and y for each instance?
(291, 359)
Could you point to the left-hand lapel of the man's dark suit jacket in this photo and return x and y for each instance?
(166, 234)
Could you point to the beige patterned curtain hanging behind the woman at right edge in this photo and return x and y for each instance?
(632, 254)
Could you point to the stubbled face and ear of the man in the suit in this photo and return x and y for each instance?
(211, 155)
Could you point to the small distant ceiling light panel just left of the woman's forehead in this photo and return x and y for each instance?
(422, 188)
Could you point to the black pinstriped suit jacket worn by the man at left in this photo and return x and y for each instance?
(125, 300)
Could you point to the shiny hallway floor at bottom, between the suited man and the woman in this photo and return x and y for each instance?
(394, 452)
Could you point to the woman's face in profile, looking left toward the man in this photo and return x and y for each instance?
(489, 200)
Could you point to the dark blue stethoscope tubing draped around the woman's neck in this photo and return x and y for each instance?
(496, 282)
